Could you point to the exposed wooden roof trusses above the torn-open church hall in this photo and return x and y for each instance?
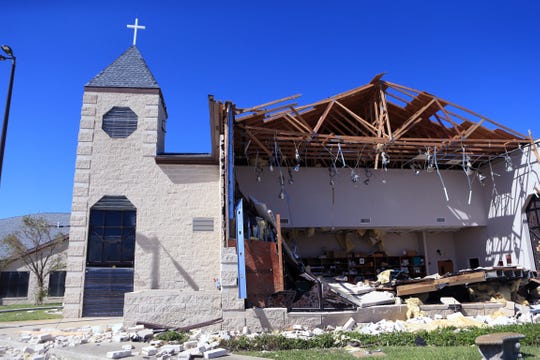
(380, 124)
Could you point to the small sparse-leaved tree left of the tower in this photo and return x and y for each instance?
(39, 248)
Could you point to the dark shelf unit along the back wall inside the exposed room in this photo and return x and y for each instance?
(358, 268)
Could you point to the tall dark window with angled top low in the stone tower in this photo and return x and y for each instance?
(111, 233)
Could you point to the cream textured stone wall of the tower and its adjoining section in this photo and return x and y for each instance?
(169, 255)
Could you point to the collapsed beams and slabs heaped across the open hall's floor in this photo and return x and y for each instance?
(494, 284)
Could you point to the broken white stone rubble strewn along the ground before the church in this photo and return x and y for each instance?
(44, 343)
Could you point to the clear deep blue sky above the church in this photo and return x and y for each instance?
(484, 55)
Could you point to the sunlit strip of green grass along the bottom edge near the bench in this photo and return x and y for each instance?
(391, 352)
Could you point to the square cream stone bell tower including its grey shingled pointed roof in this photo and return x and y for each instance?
(121, 131)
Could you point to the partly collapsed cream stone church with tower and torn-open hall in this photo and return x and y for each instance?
(382, 169)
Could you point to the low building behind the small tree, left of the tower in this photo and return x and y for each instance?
(18, 285)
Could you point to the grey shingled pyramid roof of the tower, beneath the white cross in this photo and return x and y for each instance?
(129, 70)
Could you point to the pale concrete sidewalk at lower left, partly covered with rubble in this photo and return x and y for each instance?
(10, 333)
